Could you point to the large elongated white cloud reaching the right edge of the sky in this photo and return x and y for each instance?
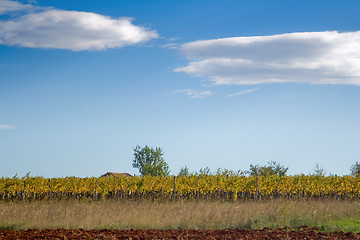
(309, 57)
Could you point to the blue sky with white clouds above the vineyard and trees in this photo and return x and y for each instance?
(214, 83)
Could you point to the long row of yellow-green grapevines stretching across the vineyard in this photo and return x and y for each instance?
(187, 187)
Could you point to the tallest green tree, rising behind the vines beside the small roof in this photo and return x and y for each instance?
(149, 161)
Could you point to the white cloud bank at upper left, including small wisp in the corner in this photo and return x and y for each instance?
(73, 30)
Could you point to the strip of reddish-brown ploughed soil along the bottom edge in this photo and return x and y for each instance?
(301, 233)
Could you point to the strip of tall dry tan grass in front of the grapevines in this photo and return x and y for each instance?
(173, 215)
